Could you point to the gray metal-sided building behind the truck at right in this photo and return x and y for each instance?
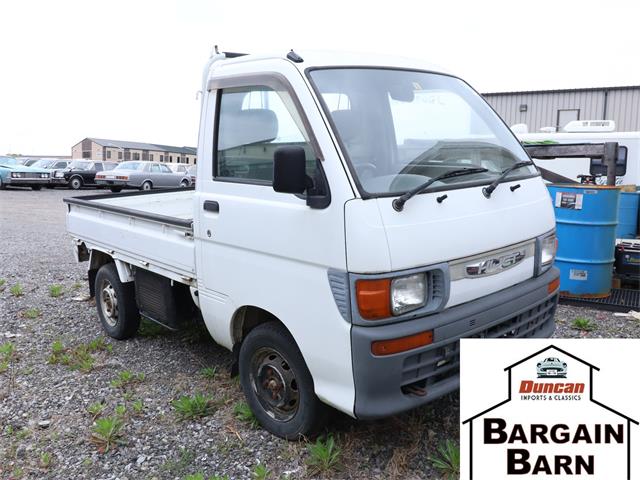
(554, 108)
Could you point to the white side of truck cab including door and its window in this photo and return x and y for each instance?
(257, 247)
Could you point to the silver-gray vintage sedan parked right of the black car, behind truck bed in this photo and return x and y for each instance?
(143, 175)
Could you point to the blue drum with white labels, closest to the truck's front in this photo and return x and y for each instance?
(586, 220)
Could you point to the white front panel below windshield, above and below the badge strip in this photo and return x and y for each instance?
(465, 224)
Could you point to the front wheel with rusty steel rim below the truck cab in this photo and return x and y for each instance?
(277, 383)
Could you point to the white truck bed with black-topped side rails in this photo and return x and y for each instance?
(151, 230)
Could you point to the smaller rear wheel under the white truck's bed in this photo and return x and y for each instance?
(116, 303)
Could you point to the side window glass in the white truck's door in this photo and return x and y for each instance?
(253, 122)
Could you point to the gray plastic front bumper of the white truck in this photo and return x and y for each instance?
(388, 385)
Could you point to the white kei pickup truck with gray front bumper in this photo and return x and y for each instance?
(354, 217)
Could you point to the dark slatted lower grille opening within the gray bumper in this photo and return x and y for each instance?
(427, 368)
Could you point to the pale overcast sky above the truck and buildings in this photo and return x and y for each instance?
(129, 70)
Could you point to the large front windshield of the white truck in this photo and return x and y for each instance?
(400, 128)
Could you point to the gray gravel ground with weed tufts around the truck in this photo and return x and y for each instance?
(46, 430)
